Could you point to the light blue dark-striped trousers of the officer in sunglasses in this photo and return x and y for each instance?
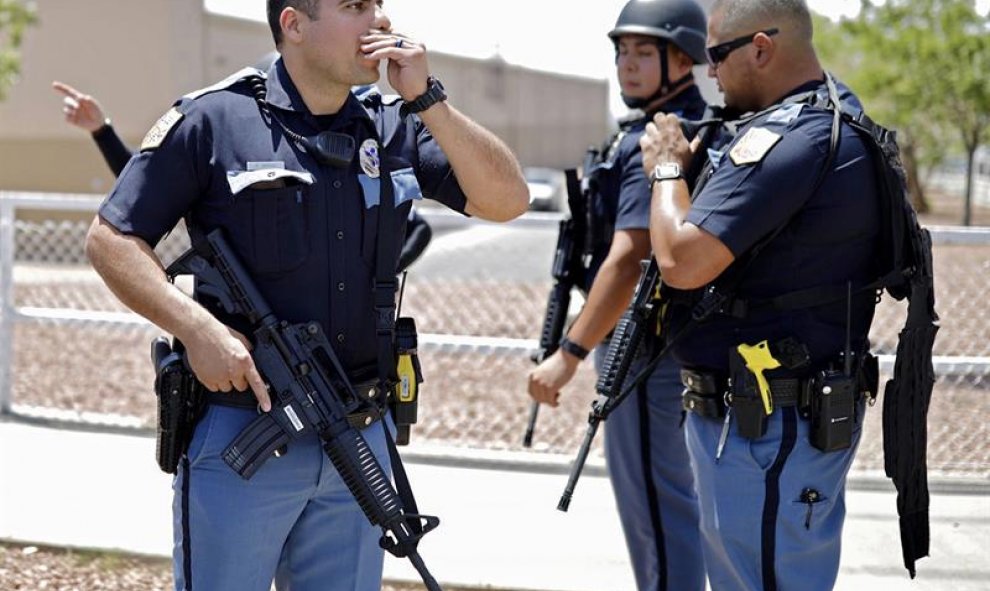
(733, 497)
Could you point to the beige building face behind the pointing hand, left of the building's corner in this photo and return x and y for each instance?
(125, 53)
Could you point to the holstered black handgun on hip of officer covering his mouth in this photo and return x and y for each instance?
(180, 403)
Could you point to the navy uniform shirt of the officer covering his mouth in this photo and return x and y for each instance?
(307, 233)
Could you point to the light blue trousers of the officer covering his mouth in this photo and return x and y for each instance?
(294, 521)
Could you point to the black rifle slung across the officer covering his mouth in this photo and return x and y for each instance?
(310, 393)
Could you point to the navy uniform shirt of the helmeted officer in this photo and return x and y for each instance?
(622, 199)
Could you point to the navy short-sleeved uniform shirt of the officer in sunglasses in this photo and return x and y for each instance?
(762, 180)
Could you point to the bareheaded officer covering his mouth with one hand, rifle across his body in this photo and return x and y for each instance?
(305, 223)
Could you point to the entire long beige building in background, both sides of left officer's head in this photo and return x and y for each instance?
(138, 56)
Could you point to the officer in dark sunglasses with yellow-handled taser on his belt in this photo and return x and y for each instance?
(784, 214)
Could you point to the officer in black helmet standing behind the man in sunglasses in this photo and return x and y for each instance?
(657, 42)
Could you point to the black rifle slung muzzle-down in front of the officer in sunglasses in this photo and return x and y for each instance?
(641, 316)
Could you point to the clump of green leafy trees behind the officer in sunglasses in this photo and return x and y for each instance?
(921, 67)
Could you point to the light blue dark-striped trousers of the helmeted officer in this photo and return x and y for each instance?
(651, 477)
